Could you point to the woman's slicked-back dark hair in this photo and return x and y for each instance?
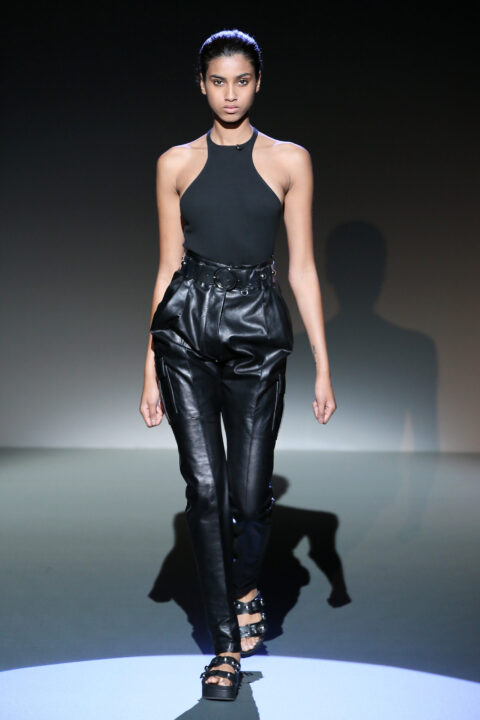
(228, 42)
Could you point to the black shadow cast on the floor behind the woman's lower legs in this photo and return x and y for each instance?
(282, 575)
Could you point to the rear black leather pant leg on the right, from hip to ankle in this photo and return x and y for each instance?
(257, 338)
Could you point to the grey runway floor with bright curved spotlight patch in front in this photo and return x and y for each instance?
(371, 586)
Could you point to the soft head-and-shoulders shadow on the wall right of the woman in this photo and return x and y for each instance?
(384, 376)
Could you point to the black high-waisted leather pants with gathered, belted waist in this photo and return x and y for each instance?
(221, 337)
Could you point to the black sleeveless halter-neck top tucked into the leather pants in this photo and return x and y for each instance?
(231, 214)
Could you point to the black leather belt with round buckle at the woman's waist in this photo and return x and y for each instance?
(226, 277)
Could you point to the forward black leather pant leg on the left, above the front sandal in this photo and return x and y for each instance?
(190, 388)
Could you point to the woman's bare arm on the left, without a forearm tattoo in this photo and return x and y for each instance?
(171, 252)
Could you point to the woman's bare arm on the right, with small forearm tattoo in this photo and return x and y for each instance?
(302, 274)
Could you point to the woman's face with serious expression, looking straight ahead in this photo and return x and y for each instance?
(230, 86)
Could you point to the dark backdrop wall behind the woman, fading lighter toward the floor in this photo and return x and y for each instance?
(385, 99)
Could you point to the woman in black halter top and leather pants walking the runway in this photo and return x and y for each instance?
(221, 333)
